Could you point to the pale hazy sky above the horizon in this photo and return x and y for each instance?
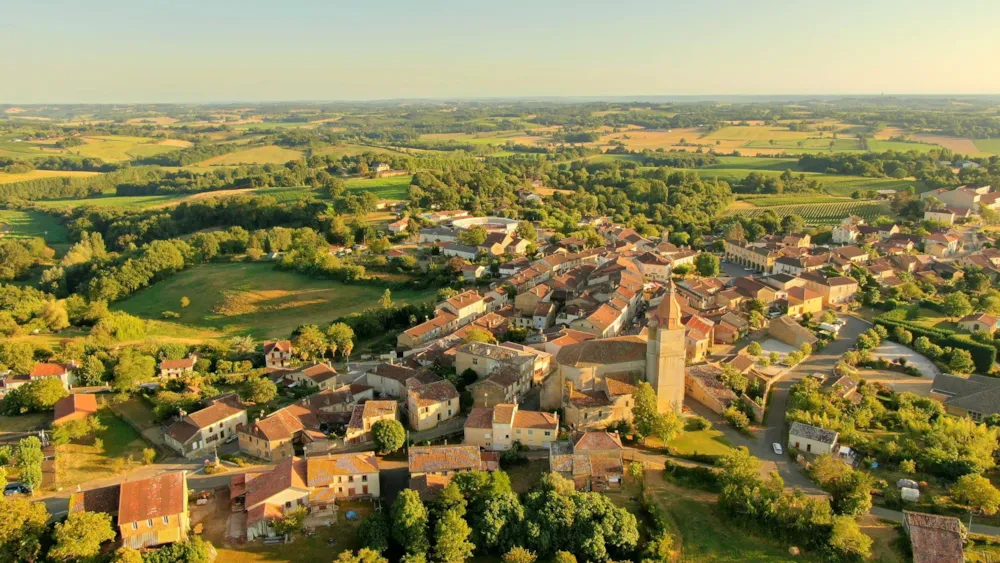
(213, 50)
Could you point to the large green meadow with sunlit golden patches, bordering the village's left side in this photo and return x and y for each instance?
(255, 299)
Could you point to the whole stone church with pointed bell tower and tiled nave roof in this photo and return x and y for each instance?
(595, 380)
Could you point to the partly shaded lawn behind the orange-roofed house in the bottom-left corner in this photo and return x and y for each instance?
(81, 461)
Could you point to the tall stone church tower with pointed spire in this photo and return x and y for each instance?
(665, 353)
